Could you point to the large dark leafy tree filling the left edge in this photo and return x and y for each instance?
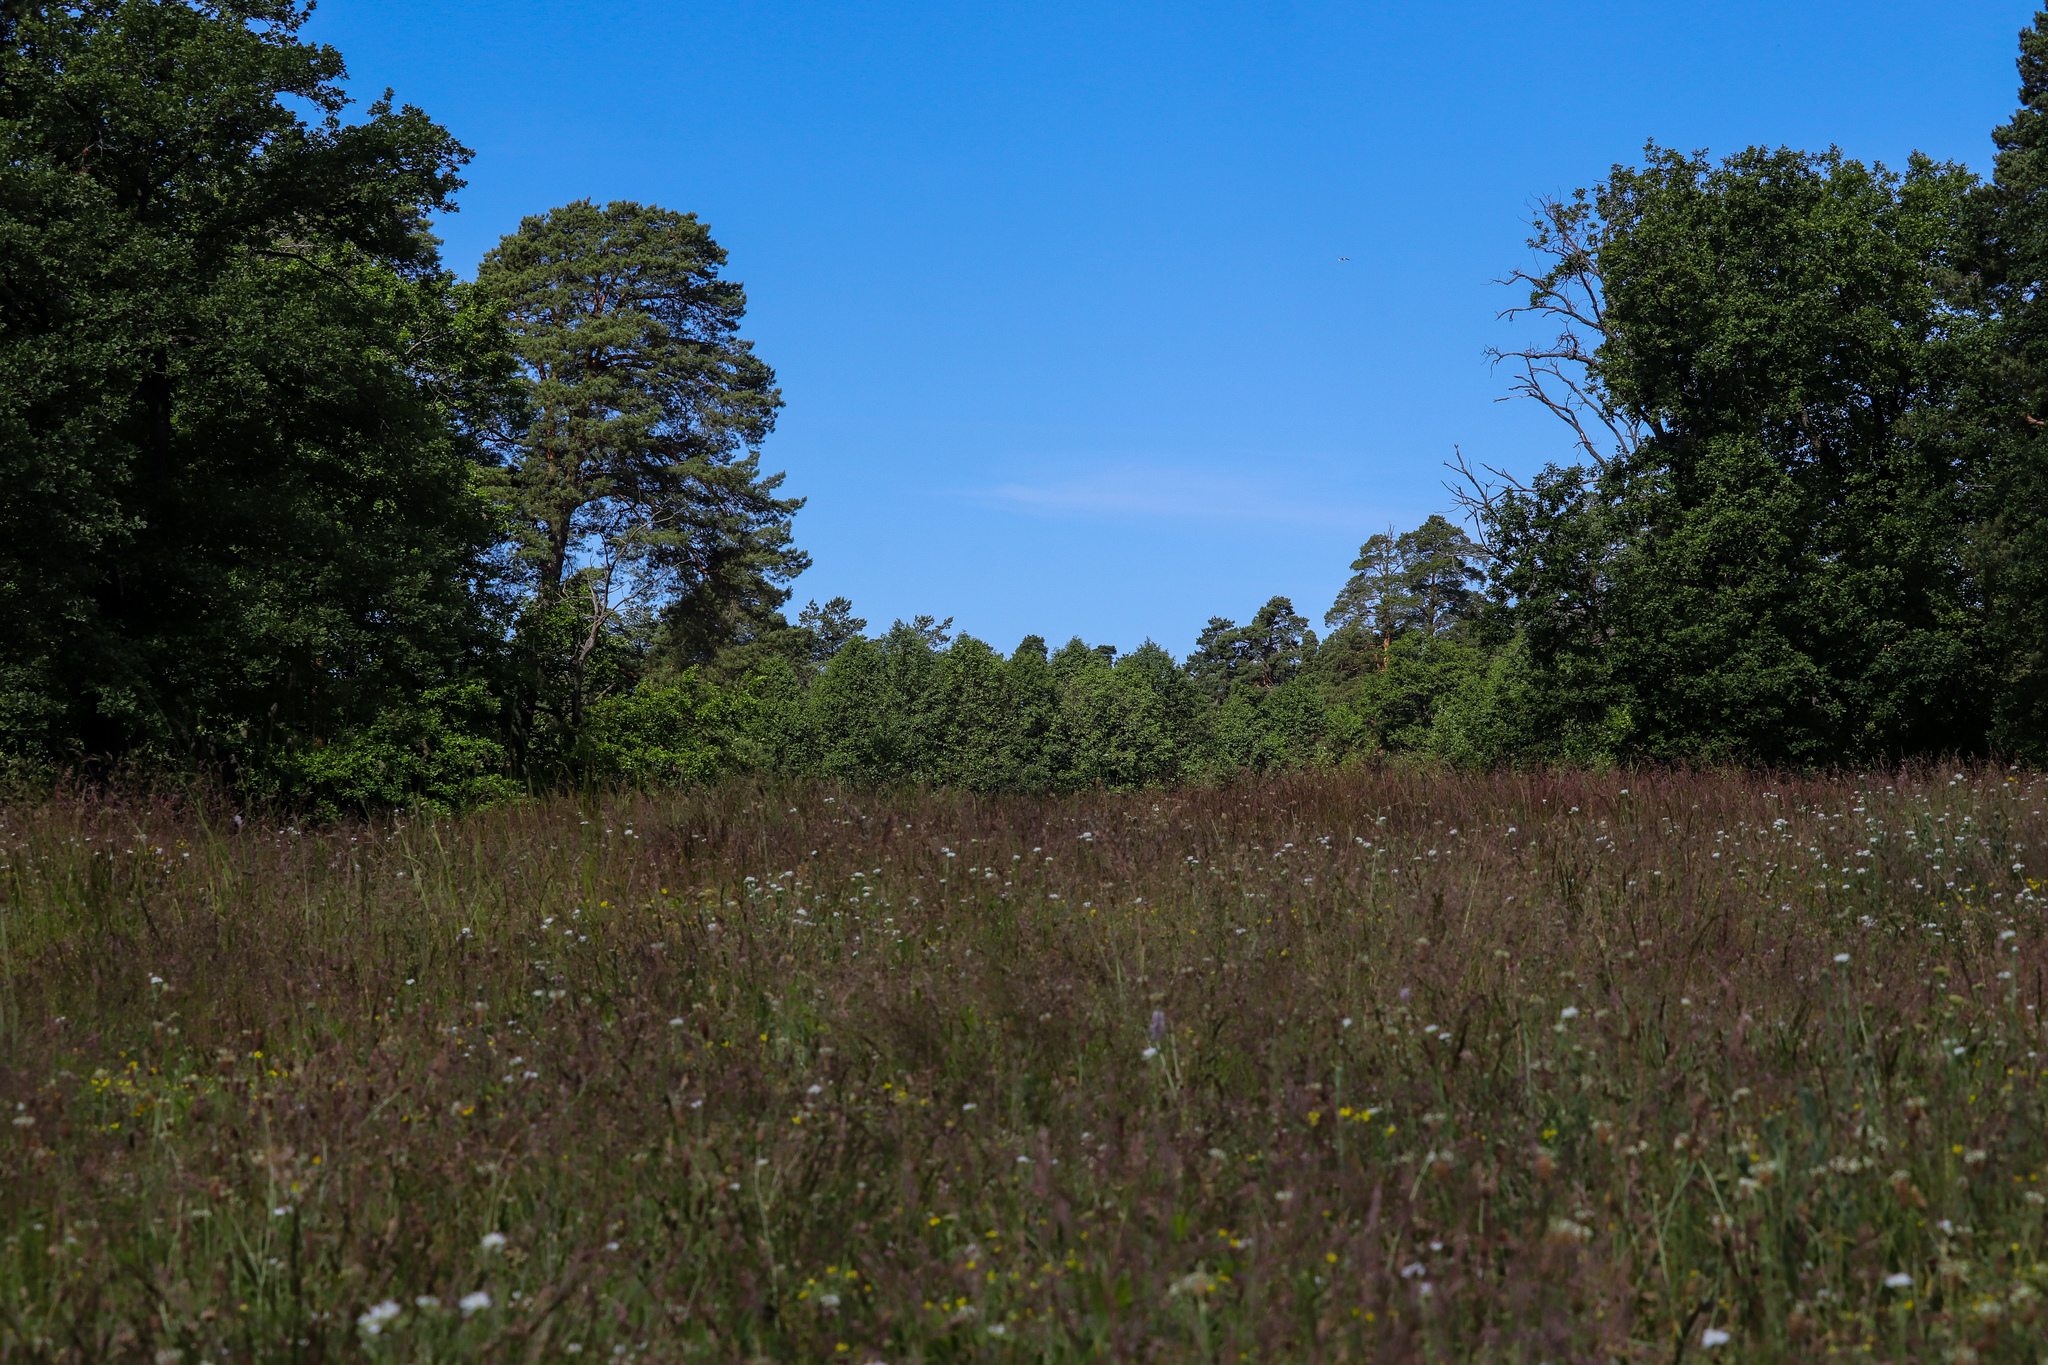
(234, 390)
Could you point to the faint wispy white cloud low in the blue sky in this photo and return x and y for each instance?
(1158, 492)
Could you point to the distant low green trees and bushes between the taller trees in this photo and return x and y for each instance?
(916, 703)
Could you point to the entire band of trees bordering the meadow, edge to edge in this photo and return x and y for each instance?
(288, 502)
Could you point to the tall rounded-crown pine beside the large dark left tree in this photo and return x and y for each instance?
(634, 484)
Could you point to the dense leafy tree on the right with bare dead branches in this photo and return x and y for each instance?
(1762, 556)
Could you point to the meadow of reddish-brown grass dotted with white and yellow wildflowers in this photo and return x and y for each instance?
(1367, 1067)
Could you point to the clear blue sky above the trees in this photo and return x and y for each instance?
(1056, 290)
